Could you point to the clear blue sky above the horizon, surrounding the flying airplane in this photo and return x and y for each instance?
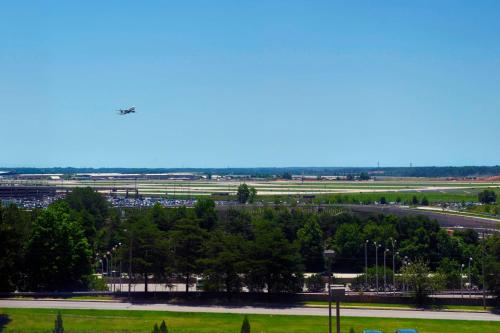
(249, 83)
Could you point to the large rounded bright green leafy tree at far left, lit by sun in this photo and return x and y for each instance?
(58, 254)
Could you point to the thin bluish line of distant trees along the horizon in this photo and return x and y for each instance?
(450, 171)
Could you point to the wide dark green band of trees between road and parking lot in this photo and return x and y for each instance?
(59, 248)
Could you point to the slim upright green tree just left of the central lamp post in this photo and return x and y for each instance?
(310, 238)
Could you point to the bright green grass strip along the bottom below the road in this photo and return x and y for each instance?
(104, 321)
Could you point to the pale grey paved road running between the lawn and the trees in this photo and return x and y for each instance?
(302, 311)
